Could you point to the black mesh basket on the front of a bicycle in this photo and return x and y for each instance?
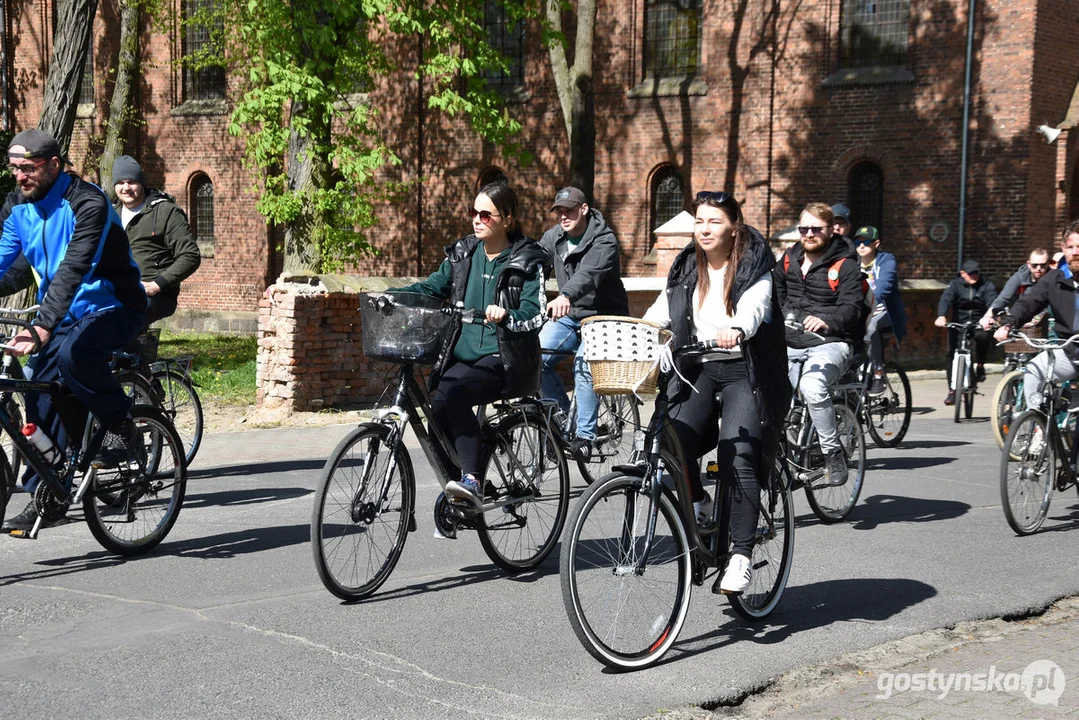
(411, 331)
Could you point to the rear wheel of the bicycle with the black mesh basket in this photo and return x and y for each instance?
(520, 536)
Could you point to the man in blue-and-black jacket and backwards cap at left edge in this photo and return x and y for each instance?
(91, 301)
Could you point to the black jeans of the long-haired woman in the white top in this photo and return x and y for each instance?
(694, 417)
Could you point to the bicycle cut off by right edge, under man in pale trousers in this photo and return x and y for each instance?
(1040, 456)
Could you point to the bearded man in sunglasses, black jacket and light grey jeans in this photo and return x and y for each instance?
(821, 287)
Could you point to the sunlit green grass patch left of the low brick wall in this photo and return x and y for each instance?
(224, 365)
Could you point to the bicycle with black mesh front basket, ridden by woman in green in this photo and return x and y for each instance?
(365, 499)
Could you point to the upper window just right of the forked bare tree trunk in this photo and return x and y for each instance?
(672, 38)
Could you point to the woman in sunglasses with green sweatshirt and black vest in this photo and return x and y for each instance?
(498, 273)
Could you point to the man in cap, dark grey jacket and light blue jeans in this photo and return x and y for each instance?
(584, 252)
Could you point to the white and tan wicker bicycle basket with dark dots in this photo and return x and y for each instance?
(623, 354)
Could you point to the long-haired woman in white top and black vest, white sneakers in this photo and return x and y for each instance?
(720, 288)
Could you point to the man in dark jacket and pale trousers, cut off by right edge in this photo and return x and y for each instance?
(1058, 291)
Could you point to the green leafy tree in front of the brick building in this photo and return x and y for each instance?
(318, 139)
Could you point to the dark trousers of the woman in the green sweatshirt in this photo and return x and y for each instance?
(460, 389)
